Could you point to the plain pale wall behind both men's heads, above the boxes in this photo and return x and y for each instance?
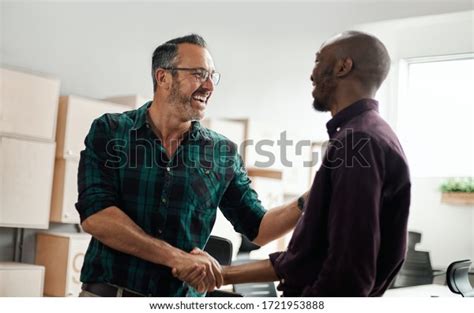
(264, 51)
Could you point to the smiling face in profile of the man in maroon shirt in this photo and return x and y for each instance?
(324, 79)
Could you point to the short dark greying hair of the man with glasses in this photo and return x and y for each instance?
(165, 54)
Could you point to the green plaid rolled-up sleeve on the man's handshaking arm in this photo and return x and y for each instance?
(97, 182)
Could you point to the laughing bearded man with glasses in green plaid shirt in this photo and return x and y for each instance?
(150, 181)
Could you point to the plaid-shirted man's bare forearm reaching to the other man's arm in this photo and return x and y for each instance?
(278, 221)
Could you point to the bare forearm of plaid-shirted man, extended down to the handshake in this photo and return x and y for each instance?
(116, 230)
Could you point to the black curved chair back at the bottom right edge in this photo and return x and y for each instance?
(457, 278)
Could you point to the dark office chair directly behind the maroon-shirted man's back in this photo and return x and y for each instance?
(417, 269)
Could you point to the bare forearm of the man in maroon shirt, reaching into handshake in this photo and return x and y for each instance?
(259, 271)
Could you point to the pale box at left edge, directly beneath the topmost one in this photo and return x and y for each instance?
(26, 178)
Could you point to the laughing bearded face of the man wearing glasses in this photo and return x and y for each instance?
(189, 94)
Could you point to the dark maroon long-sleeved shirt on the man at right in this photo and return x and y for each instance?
(351, 238)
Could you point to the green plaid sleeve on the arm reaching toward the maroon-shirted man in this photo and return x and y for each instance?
(240, 203)
